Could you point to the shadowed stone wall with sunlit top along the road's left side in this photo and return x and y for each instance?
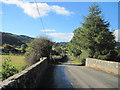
(28, 78)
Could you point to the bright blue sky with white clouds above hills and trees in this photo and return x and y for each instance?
(57, 20)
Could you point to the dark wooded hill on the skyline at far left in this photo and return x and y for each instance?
(15, 40)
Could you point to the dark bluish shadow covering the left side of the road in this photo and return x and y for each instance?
(55, 77)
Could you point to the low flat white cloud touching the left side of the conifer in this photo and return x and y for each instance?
(67, 36)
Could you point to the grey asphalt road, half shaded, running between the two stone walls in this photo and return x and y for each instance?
(69, 75)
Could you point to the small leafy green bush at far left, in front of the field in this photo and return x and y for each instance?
(8, 69)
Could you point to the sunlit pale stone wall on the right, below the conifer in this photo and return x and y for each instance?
(104, 65)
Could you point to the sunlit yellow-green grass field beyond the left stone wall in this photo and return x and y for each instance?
(17, 61)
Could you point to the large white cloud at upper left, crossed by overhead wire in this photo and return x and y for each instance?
(44, 8)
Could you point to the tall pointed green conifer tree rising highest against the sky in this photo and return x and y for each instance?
(94, 35)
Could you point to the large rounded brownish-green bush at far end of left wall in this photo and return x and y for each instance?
(39, 47)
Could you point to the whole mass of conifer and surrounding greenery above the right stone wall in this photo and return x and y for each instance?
(93, 39)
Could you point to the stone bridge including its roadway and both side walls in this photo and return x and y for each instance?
(65, 75)
